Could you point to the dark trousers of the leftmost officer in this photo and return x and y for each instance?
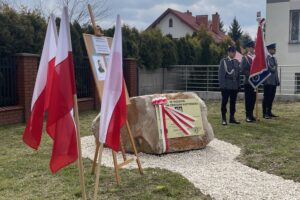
(226, 94)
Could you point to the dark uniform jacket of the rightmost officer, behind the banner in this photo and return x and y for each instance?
(273, 68)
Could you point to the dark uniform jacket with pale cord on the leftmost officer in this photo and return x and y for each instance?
(229, 74)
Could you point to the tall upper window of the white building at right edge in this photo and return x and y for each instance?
(295, 26)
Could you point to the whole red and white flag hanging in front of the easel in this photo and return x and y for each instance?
(113, 106)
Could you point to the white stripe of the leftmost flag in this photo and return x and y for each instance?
(48, 53)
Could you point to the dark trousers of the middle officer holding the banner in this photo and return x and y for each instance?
(250, 98)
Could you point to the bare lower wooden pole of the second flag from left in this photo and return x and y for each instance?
(80, 163)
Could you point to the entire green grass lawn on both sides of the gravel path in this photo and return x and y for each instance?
(270, 145)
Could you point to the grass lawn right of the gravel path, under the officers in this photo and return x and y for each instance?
(270, 145)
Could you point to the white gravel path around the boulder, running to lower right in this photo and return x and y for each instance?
(214, 171)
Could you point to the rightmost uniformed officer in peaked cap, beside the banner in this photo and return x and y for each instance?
(270, 83)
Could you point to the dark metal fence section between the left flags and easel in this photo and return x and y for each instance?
(83, 78)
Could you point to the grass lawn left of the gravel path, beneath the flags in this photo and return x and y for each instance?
(25, 174)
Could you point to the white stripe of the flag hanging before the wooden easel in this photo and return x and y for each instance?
(113, 82)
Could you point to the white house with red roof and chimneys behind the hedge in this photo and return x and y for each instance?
(178, 24)
